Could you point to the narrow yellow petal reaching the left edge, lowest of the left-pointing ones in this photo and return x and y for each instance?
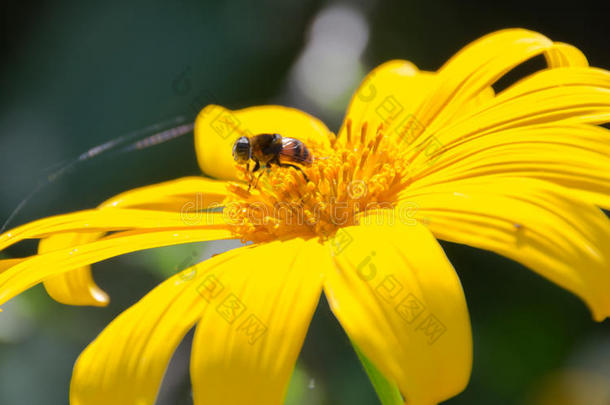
(35, 269)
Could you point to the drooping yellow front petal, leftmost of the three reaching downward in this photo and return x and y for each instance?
(126, 362)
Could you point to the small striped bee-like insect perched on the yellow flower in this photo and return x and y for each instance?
(271, 149)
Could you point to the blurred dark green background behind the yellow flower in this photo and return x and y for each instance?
(77, 74)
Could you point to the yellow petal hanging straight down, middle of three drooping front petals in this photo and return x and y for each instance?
(248, 339)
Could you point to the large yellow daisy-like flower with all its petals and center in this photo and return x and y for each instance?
(420, 156)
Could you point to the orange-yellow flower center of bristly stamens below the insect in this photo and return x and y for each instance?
(360, 174)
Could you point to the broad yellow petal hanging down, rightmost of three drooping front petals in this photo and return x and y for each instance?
(400, 300)
